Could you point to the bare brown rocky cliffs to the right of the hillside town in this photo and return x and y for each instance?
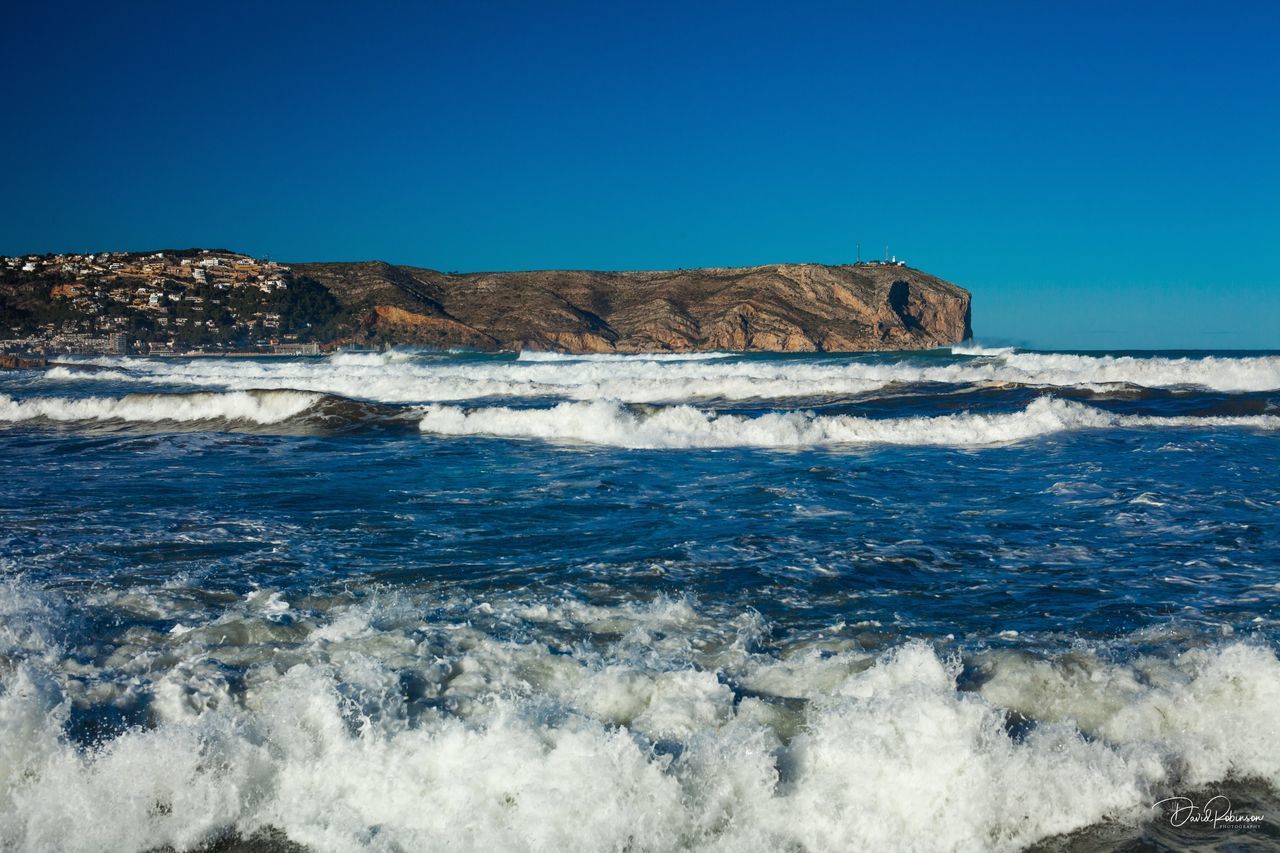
(783, 308)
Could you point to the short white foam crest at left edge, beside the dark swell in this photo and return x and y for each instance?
(254, 407)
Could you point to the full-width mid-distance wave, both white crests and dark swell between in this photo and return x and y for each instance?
(600, 422)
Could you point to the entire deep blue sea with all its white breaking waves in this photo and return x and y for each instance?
(956, 600)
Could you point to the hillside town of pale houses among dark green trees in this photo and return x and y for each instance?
(195, 302)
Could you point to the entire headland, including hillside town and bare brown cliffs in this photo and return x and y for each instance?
(217, 302)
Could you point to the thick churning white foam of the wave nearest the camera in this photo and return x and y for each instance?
(534, 746)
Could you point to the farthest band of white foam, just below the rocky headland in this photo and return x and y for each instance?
(408, 377)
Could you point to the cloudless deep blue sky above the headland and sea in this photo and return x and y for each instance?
(1099, 176)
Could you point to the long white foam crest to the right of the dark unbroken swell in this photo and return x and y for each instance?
(678, 427)
